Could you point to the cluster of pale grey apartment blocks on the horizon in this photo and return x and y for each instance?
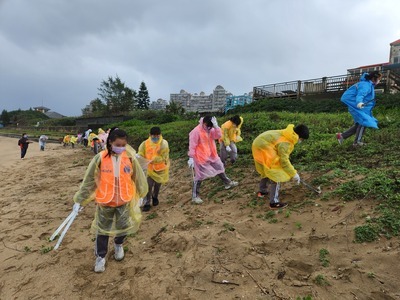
(201, 103)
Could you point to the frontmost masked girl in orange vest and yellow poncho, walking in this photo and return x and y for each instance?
(115, 181)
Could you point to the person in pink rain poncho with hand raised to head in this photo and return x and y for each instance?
(203, 157)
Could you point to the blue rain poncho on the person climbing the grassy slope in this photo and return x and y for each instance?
(363, 91)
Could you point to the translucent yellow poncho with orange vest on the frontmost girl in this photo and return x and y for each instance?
(115, 214)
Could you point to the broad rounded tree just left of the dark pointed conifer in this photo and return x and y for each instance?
(118, 98)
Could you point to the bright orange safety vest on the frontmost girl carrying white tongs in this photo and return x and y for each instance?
(105, 192)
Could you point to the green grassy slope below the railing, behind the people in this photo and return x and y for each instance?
(371, 171)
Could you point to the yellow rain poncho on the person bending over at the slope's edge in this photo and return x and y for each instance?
(271, 151)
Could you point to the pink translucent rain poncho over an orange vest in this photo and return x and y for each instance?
(204, 152)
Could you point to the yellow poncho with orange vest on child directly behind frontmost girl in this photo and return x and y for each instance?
(157, 156)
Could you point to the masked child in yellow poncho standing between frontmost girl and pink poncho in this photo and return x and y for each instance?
(156, 152)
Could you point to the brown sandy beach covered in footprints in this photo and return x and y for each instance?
(223, 249)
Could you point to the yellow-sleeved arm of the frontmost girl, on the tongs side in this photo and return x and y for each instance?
(87, 189)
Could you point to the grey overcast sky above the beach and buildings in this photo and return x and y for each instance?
(57, 52)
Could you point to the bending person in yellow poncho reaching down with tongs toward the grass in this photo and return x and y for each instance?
(271, 151)
